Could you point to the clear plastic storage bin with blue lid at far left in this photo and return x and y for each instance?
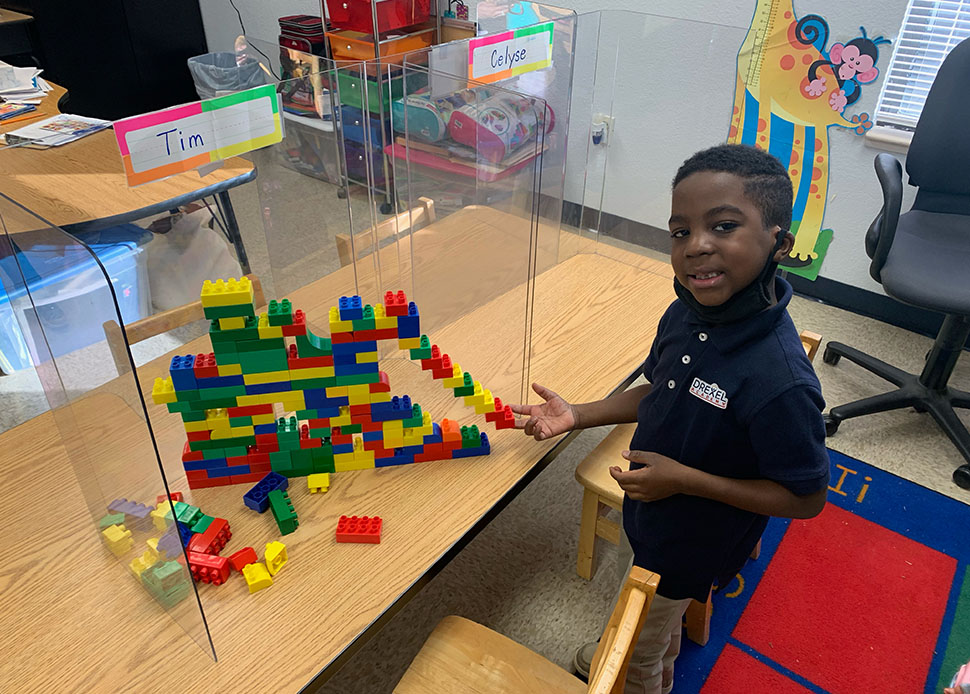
(71, 299)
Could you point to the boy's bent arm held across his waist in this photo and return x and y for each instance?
(662, 477)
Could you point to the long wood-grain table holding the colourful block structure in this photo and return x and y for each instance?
(73, 620)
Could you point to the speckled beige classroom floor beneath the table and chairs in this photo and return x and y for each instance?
(518, 575)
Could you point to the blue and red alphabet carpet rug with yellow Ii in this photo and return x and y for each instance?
(871, 595)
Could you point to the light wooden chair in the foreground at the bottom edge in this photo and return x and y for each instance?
(462, 657)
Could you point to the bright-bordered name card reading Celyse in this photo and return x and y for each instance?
(511, 53)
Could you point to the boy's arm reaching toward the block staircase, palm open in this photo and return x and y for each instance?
(556, 416)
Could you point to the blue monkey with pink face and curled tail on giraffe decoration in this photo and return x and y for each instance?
(852, 64)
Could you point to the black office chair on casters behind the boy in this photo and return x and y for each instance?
(922, 257)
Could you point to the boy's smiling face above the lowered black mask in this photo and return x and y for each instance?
(719, 242)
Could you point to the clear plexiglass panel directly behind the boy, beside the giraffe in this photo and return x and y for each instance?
(637, 116)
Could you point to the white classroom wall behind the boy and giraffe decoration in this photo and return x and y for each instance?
(674, 94)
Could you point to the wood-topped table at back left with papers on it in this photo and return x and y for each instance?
(81, 186)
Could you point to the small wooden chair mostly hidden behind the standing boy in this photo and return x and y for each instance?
(601, 493)
